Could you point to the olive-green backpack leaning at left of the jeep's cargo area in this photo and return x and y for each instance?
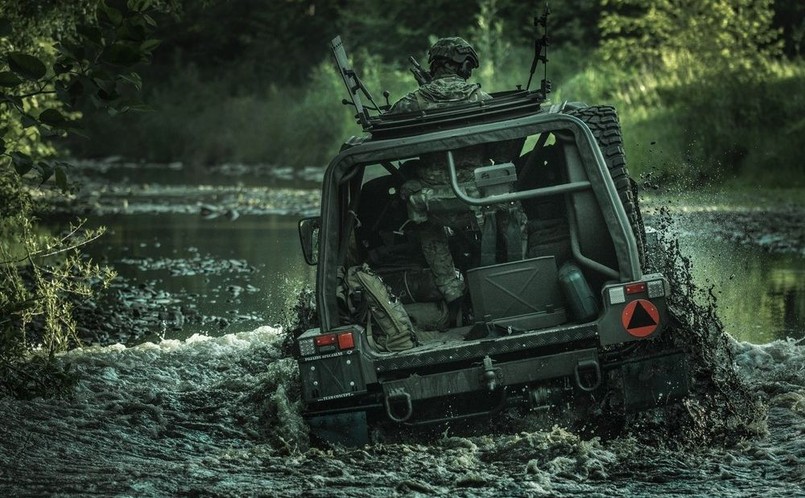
(366, 299)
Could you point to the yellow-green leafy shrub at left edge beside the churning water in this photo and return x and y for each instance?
(41, 276)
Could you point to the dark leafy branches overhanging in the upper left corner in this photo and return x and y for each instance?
(51, 57)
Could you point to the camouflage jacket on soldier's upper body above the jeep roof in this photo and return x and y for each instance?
(441, 92)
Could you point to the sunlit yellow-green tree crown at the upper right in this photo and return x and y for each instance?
(689, 38)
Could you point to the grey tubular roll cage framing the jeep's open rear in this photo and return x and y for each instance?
(587, 171)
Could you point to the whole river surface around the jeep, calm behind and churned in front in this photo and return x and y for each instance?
(210, 407)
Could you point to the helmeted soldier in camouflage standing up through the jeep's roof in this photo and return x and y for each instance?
(451, 61)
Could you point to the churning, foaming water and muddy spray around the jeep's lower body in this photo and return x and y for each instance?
(221, 416)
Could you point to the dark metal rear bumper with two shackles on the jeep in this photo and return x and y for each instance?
(638, 383)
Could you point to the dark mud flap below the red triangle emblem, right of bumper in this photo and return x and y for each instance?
(655, 381)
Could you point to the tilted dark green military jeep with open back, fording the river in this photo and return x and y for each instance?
(559, 326)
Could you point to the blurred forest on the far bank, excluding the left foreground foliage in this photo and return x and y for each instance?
(706, 91)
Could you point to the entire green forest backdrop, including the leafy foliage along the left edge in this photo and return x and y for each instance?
(709, 93)
